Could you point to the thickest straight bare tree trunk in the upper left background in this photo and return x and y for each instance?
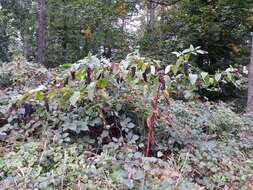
(41, 31)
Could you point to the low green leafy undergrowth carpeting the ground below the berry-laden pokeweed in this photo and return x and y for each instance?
(206, 145)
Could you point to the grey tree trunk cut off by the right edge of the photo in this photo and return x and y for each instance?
(250, 88)
